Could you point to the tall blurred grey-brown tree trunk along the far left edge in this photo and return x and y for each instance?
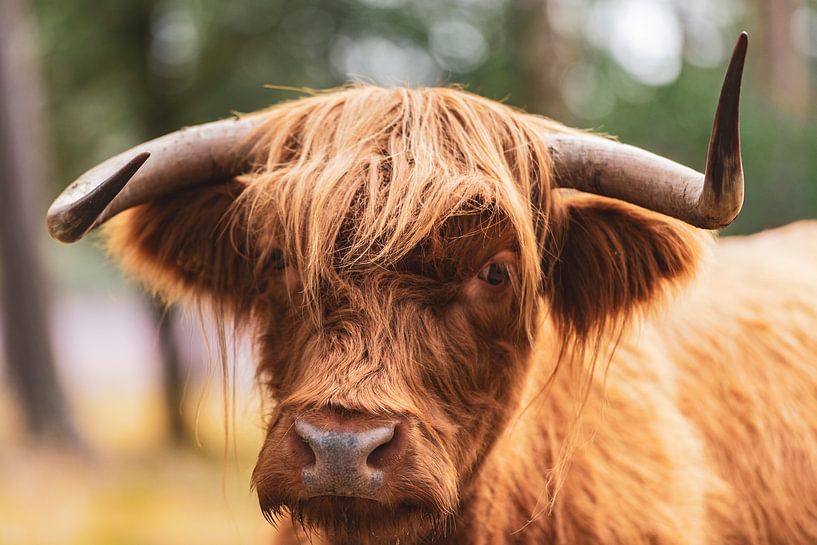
(29, 355)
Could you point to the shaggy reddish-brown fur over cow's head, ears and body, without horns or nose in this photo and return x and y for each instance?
(557, 408)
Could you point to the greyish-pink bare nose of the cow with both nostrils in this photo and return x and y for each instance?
(346, 462)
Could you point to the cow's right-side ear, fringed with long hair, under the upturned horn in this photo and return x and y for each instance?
(610, 258)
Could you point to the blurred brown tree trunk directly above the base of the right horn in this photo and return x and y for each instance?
(544, 59)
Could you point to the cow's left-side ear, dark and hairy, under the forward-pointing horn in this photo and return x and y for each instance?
(185, 245)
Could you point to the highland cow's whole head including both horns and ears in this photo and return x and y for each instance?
(395, 255)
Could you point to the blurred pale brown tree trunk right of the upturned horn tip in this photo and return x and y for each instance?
(785, 70)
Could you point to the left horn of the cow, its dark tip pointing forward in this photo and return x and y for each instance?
(188, 157)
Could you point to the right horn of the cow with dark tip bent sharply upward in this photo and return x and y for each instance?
(597, 165)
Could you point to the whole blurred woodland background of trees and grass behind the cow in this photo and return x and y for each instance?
(111, 413)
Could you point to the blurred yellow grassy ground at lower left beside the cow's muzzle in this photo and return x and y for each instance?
(131, 488)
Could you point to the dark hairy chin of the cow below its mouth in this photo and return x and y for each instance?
(361, 521)
